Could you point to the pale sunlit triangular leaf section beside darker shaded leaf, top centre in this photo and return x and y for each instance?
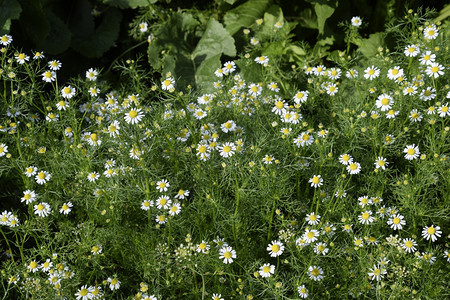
(215, 40)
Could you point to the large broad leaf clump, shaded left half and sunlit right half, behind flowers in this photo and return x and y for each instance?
(176, 49)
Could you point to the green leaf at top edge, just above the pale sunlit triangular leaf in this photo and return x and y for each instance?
(245, 14)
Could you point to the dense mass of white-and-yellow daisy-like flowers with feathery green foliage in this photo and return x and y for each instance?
(324, 181)
